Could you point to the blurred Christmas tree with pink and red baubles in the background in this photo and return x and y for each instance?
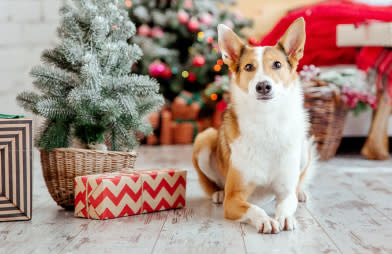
(179, 39)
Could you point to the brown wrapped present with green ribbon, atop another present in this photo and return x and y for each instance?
(187, 106)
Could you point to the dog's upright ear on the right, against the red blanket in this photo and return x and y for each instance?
(293, 42)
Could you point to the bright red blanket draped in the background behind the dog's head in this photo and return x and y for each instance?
(321, 21)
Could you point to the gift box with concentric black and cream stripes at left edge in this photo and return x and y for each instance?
(15, 165)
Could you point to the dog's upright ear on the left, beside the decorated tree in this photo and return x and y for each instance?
(230, 45)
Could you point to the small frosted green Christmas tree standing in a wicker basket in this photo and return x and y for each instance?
(87, 88)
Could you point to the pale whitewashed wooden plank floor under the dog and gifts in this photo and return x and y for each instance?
(349, 211)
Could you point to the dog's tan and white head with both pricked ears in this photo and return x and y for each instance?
(264, 73)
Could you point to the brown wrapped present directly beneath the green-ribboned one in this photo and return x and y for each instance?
(185, 131)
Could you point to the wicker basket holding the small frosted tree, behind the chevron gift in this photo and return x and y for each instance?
(62, 165)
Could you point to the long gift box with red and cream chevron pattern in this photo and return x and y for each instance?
(113, 195)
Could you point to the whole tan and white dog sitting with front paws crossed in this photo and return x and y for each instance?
(263, 143)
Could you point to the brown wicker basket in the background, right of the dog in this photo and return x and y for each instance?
(327, 117)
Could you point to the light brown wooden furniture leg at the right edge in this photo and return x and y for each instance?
(376, 145)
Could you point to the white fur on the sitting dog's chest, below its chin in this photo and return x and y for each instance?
(268, 149)
